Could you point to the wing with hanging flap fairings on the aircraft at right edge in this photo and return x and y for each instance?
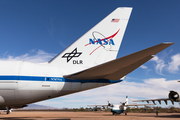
(153, 100)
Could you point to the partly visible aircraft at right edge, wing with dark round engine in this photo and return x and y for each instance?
(173, 96)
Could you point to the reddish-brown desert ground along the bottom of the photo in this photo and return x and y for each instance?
(54, 115)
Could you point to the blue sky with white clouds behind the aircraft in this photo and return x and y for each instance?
(37, 30)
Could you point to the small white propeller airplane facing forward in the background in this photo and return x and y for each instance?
(119, 108)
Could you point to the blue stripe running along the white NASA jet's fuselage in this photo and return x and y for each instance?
(55, 79)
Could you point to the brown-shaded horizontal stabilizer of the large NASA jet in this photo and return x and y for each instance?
(116, 69)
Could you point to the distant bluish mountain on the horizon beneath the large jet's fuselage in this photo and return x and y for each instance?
(39, 107)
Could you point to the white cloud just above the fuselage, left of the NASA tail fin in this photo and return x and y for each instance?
(35, 56)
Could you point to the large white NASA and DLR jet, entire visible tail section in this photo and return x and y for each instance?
(90, 62)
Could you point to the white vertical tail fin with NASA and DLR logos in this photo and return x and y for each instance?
(100, 44)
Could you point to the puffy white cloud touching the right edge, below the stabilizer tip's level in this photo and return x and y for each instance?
(174, 64)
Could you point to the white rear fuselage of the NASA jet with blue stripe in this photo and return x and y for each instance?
(23, 83)
